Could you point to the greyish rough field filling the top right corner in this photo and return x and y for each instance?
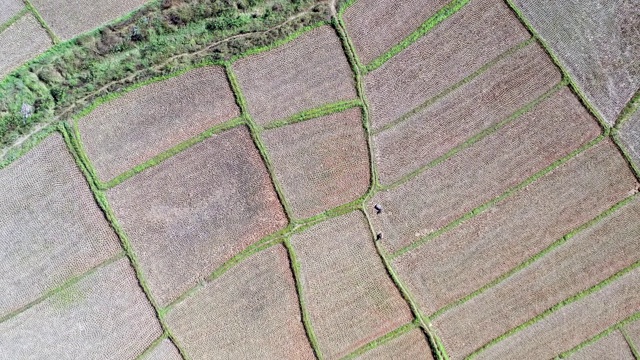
(597, 41)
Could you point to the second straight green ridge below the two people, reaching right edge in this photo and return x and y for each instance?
(539, 256)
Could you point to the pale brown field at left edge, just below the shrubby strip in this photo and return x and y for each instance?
(50, 225)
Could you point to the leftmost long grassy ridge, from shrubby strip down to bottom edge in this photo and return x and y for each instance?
(103, 203)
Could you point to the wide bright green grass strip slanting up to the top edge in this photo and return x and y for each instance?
(440, 16)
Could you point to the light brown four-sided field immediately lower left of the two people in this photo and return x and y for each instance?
(350, 297)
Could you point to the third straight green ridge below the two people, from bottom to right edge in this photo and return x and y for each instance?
(576, 297)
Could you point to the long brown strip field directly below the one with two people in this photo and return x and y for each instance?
(497, 240)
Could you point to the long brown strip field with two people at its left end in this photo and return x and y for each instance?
(483, 171)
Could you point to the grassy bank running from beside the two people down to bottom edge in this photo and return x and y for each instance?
(436, 345)
